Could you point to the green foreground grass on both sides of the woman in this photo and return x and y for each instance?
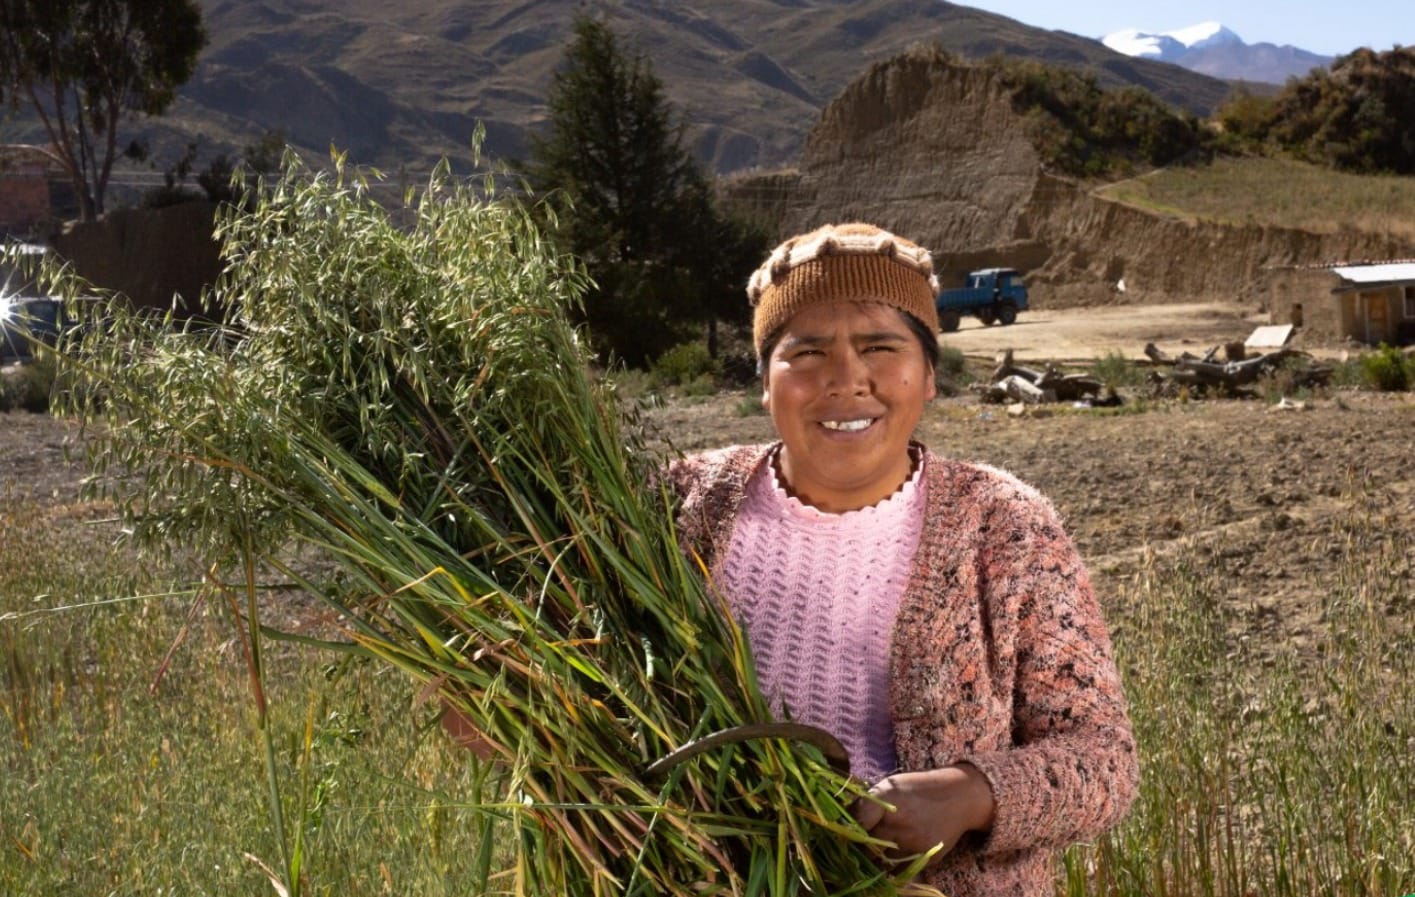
(1264, 772)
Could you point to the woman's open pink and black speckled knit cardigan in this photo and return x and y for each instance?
(998, 659)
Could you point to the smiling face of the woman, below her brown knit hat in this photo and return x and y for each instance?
(845, 387)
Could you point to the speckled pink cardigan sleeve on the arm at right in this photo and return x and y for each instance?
(1072, 770)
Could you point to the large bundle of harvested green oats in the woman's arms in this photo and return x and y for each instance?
(411, 401)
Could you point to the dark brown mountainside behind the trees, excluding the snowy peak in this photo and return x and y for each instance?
(403, 86)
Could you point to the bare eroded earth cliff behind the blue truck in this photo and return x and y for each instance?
(935, 149)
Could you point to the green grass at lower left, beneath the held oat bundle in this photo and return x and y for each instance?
(115, 786)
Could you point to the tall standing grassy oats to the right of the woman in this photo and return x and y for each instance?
(1267, 770)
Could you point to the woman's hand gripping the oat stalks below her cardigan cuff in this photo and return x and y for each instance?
(932, 809)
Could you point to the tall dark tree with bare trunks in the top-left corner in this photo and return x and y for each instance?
(86, 66)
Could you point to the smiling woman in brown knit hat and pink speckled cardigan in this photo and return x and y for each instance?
(932, 615)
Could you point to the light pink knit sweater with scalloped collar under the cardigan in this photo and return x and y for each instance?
(817, 595)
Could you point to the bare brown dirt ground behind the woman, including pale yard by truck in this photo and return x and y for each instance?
(1264, 497)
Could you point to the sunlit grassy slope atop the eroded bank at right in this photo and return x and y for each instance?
(1276, 193)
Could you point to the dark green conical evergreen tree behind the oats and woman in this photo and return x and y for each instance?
(635, 204)
